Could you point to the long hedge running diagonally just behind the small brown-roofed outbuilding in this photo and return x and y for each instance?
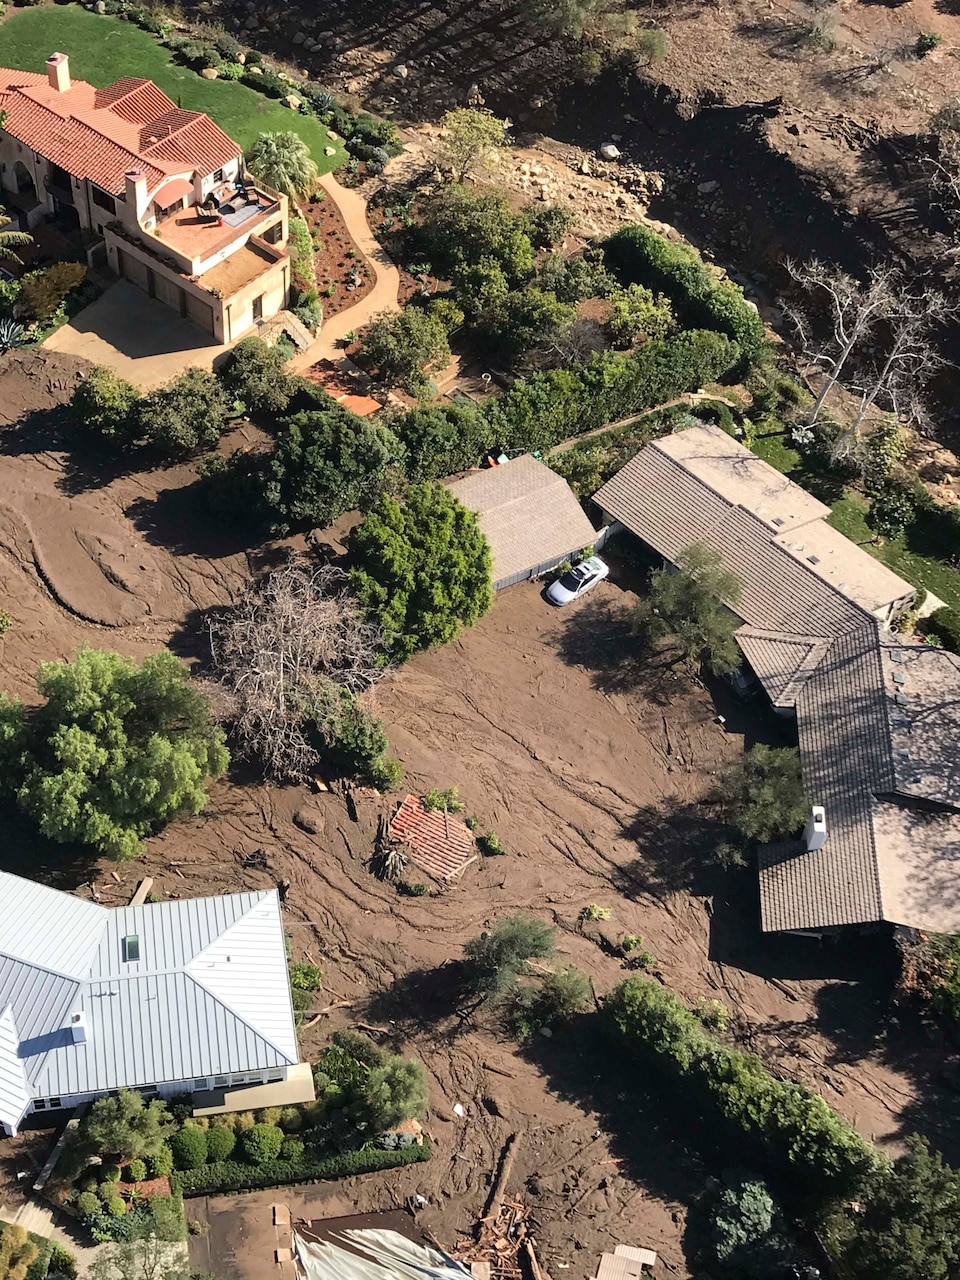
(546, 409)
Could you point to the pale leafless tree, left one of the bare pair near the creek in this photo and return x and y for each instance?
(853, 309)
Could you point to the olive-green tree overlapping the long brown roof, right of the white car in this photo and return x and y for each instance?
(685, 610)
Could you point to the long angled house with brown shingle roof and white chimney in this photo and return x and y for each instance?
(879, 716)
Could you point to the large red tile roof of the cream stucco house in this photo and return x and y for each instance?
(100, 134)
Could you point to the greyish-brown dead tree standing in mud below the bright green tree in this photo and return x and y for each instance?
(286, 657)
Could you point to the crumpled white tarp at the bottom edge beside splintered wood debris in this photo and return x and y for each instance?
(387, 1256)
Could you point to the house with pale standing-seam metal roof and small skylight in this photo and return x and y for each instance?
(166, 998)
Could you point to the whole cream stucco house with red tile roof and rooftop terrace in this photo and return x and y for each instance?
(162, 193)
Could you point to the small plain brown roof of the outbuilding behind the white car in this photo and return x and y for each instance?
(528, 514)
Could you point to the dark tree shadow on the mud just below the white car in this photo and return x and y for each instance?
(600, 638)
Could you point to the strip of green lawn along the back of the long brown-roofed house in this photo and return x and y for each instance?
(912, 556)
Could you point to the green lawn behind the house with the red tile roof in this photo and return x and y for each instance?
(104, 49)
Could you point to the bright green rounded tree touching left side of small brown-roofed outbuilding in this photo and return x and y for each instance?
(423, 569)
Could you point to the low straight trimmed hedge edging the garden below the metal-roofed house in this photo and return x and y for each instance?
(231, 1177)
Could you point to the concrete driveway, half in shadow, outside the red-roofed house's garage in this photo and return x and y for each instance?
(138, 337)
